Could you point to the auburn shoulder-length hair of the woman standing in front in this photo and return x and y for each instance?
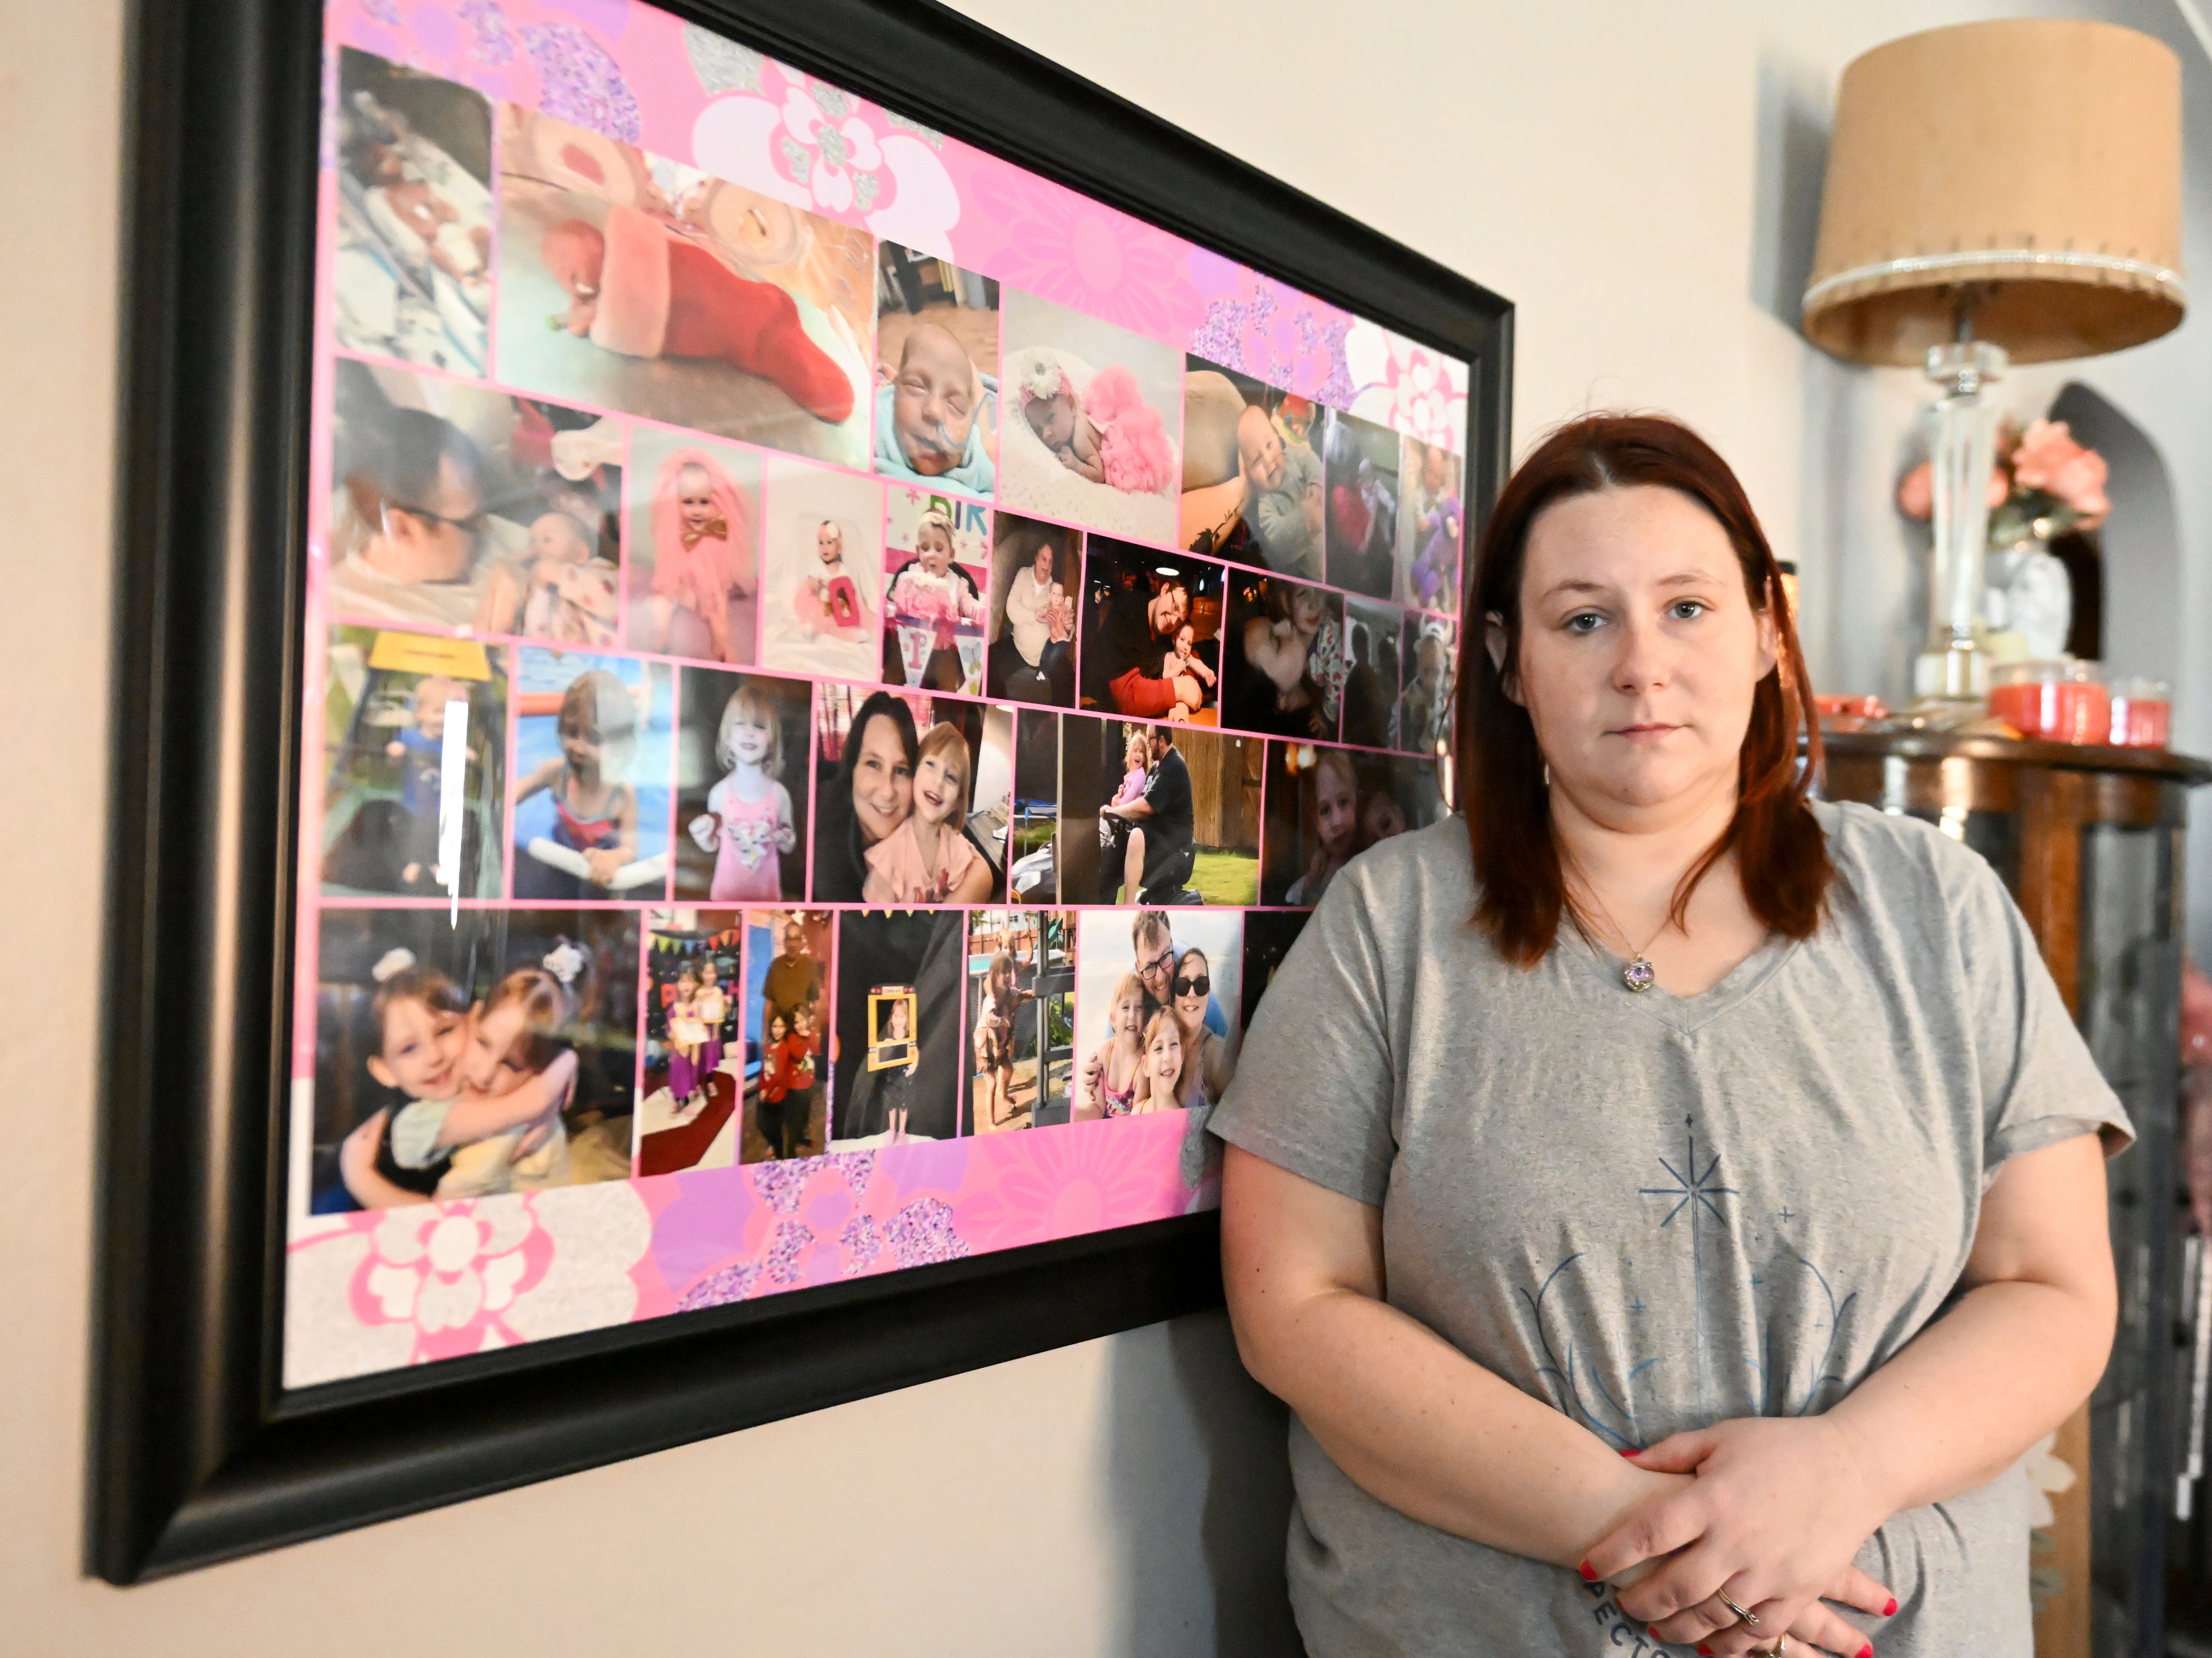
(1782, 854)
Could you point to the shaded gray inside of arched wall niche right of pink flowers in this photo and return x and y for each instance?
(2140, 543)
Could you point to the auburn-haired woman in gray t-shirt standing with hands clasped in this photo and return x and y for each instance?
(1607, 1294)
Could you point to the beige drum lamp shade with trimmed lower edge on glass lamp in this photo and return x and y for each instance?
(2036, 160)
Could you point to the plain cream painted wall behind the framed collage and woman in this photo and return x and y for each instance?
(1636, 178)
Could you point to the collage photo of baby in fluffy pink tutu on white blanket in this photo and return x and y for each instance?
(1089, 423)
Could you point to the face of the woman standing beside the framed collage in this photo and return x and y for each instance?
(1640, 649)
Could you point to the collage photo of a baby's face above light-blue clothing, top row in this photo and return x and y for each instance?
(937, 372)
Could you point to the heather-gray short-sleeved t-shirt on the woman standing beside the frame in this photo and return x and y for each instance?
(1658, 1213)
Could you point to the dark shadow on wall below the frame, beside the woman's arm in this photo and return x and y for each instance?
(1215, 1460)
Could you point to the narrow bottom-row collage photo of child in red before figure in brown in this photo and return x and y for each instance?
(789, 974)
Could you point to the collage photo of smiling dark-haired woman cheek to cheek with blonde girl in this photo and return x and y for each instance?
(868, 762)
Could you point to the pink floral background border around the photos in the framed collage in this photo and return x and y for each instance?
(379, 1290)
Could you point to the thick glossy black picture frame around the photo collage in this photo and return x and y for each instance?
(198, 1451)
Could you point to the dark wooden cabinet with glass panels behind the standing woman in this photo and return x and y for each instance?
(2091, 846)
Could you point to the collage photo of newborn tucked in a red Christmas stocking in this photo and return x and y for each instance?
(638, 284)
